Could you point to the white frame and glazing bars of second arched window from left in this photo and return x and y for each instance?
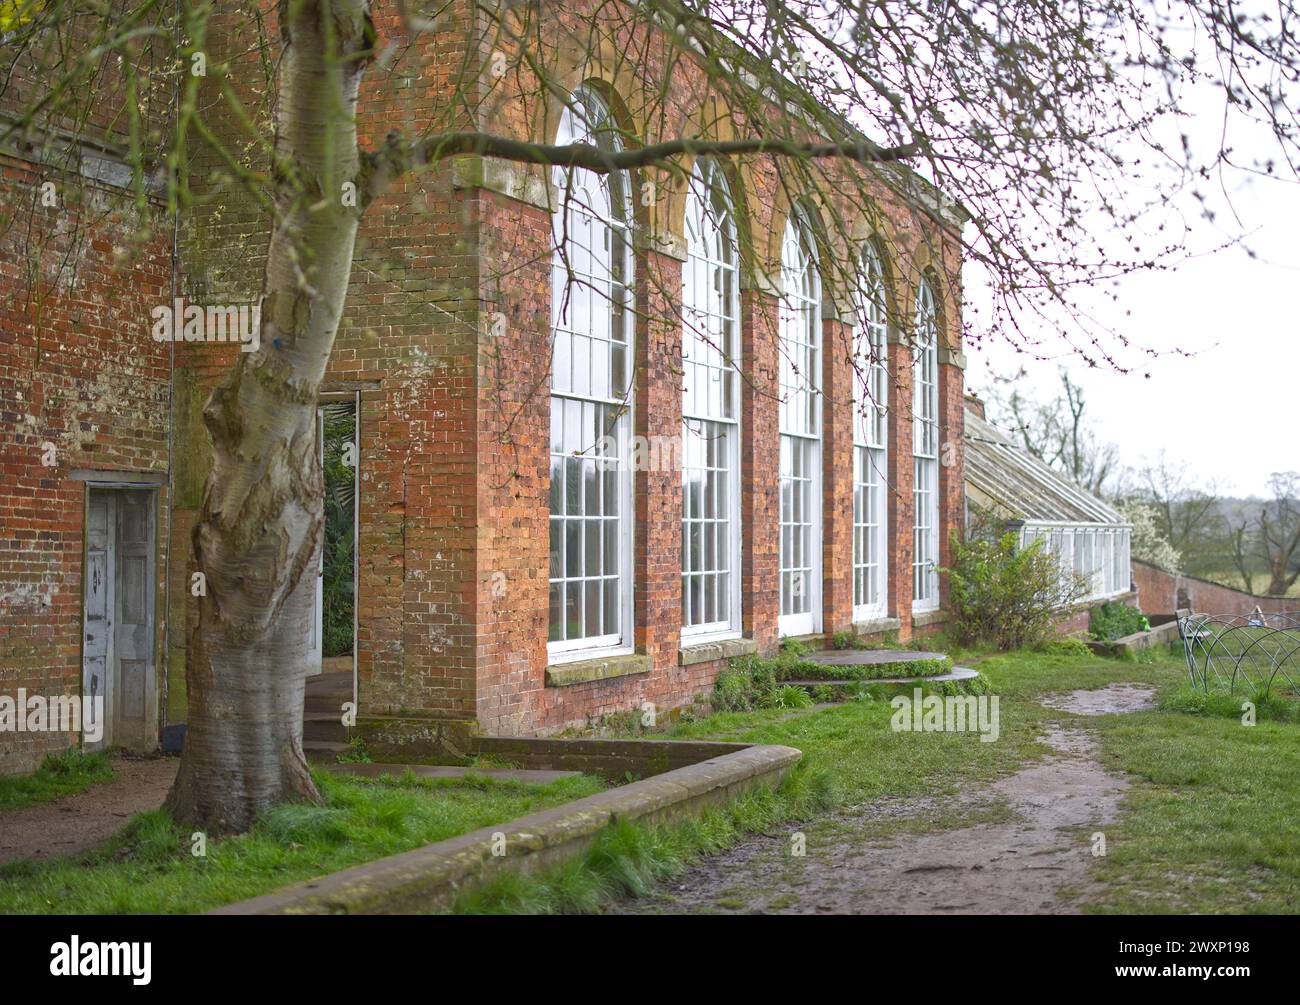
(710, 349)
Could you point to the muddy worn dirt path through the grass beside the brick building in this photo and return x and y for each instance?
(1030, 859)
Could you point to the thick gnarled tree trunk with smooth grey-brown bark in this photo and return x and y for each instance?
(258, 540)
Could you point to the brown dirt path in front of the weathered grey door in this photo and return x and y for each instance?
(76, 824)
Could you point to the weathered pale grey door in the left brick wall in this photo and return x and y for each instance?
(118, 664)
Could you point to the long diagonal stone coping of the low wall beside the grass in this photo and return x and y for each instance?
(428, 880)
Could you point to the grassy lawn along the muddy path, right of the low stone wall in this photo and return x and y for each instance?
(1208, 824)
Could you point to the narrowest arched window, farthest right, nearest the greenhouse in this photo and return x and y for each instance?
(925, 448)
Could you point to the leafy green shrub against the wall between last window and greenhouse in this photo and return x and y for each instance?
(1007, 596)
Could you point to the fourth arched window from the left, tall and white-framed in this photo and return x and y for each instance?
(870, 444)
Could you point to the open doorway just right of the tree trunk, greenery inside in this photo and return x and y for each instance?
(335, 631)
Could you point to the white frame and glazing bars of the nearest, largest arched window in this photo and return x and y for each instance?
(587, 202)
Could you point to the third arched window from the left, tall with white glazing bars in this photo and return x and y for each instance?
(801, 431)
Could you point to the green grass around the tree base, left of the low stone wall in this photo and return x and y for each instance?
(149, 868)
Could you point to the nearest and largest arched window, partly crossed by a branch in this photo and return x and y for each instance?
(591, 568)
